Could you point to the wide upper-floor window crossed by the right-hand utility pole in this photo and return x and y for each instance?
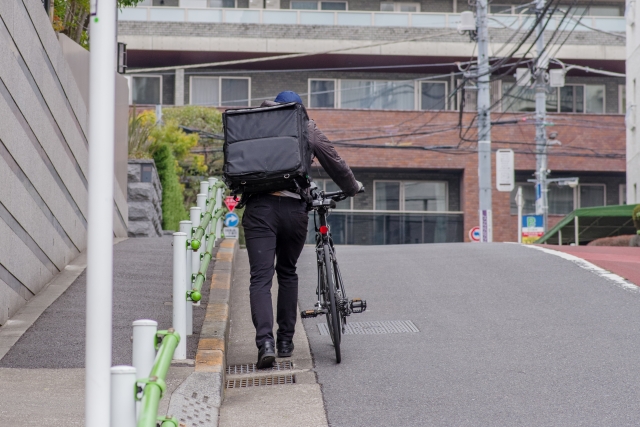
(573, 99)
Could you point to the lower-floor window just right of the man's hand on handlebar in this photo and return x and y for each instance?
(420, 196)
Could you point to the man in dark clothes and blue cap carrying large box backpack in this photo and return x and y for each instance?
(277, 136)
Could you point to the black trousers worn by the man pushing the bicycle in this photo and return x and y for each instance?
(274, 227)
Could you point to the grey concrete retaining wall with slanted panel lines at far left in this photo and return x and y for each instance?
(43, 156)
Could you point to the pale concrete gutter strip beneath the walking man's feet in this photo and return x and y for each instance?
(289, 405)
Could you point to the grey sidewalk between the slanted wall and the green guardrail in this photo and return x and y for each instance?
(42, 372)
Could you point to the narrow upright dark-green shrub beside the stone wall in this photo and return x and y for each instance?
(173, 210)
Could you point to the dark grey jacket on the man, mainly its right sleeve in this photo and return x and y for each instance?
(328, 157)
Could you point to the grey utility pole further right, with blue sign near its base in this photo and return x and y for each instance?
(542, 206)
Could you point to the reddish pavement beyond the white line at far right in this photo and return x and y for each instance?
(623, 261)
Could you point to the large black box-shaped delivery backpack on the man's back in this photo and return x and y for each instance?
(266, 149)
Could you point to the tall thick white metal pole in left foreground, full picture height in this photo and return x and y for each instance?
(100, 214)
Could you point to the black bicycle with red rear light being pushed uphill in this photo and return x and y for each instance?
(332, 297)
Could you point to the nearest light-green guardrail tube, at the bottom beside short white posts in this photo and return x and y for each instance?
(155, 385)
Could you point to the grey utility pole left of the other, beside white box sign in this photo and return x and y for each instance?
(484, 123)
